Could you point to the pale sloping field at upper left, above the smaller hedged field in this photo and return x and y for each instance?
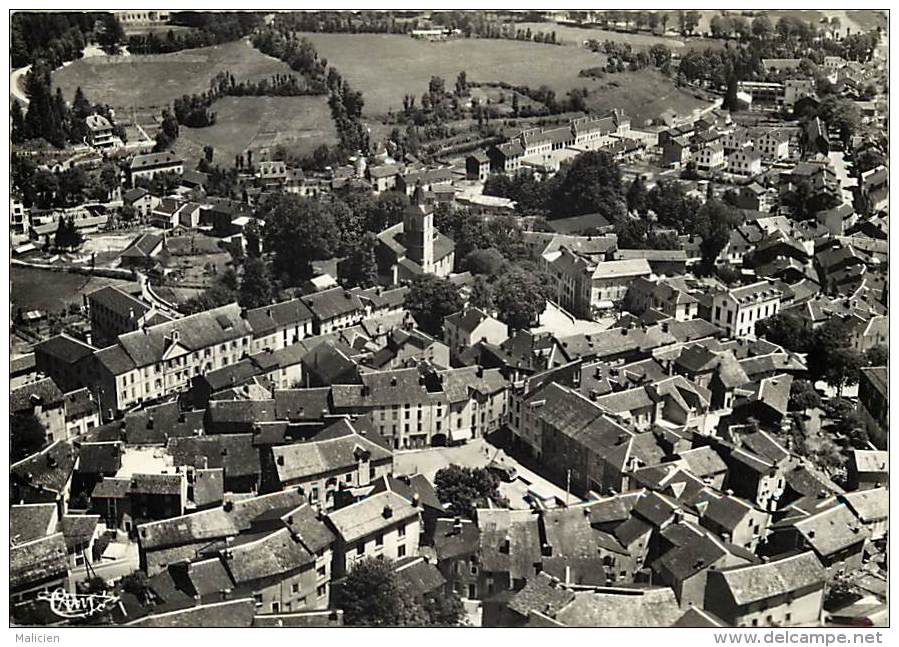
(155, 80)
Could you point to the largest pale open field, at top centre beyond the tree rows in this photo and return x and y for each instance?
(385, 66)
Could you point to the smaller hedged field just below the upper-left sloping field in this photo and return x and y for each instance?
(297, 123)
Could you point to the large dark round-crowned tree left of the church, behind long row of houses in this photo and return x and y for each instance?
(297, 231)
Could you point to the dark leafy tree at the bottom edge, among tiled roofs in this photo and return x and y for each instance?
(371, 596)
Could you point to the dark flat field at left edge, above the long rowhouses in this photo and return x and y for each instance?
(36, 289)
